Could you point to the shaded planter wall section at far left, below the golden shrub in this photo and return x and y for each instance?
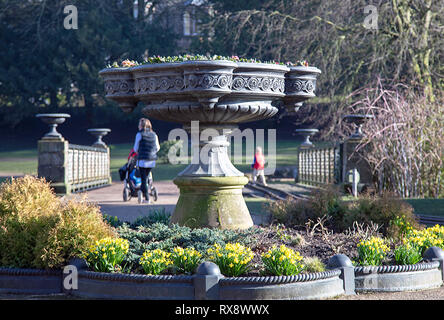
(30, 281)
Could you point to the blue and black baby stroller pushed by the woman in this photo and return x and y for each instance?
(129, 173)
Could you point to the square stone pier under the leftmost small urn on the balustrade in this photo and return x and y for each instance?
(53, 163)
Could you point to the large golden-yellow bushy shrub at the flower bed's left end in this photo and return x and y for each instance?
(38, 230)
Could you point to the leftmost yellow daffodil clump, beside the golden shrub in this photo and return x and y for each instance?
(107, 254)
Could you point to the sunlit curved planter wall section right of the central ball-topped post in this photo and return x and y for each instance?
(301, 287)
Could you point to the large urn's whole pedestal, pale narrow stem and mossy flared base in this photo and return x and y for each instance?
(211, 187)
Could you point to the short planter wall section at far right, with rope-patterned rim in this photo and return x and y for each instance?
(398, 278)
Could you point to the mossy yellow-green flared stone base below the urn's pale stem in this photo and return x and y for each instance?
(215, 202)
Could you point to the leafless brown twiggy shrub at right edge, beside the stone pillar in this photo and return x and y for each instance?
(404, 143)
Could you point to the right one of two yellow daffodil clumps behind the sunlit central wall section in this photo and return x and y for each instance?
(282, 261)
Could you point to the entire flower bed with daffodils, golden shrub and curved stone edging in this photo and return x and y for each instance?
(259, 263)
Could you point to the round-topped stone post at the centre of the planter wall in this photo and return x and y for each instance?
(206, 281)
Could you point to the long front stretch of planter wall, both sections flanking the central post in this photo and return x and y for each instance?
(209, 286)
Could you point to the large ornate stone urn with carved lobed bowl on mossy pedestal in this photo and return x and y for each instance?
(209, 98)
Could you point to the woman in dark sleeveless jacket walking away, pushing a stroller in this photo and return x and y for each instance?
(146, 145)
